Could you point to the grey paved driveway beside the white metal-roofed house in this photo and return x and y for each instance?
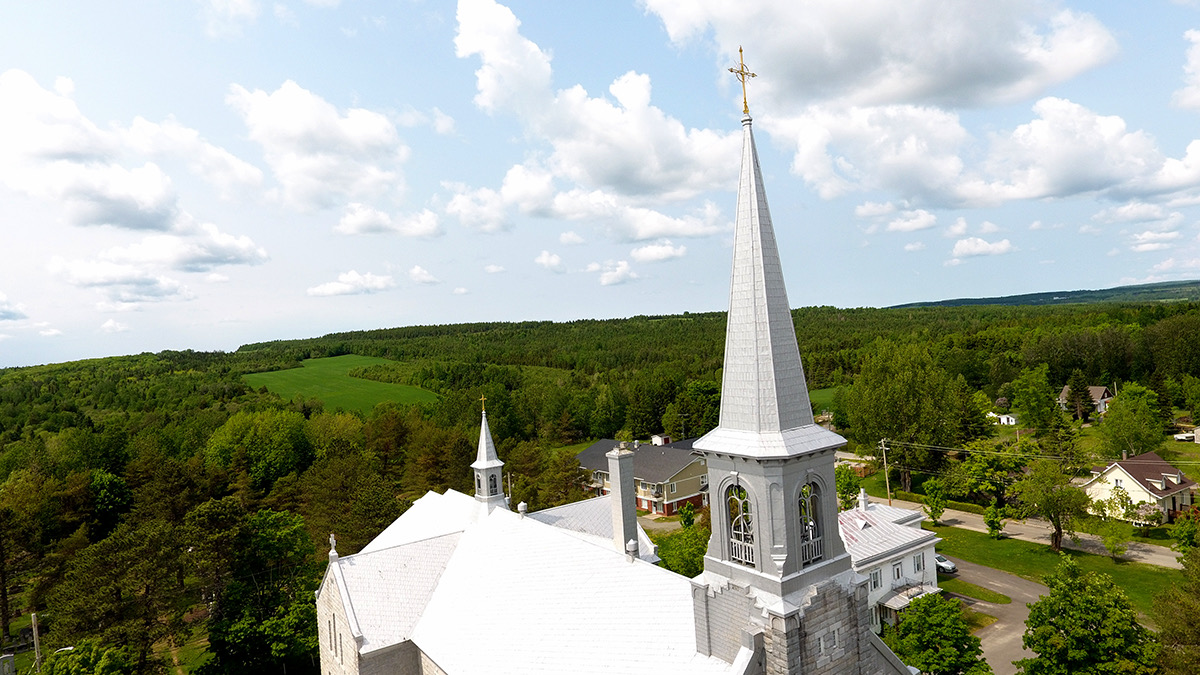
(1001, 642)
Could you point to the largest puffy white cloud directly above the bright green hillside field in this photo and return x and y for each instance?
(319, 154)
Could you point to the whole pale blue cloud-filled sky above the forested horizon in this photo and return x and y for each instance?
(203, 175)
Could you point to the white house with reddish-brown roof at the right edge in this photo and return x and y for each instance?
(1147, 479)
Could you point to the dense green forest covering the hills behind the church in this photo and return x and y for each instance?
(159, 515)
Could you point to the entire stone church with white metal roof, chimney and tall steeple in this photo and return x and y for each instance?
(463, 584)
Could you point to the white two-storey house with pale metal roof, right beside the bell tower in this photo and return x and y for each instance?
(887, 546)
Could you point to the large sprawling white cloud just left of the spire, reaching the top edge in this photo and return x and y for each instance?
(620, 156)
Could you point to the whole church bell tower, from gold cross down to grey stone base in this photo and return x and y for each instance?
(776, 570)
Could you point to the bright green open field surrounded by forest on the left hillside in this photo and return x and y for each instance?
(329, 381)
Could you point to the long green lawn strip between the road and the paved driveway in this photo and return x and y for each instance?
(1033, 561)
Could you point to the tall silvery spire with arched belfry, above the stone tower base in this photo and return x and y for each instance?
(771, 468)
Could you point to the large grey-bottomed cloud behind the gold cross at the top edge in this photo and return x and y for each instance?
(880, 53)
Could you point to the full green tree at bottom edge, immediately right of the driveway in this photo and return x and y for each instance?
(1085, 625)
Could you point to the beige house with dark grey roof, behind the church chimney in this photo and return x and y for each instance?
(665, 475)
